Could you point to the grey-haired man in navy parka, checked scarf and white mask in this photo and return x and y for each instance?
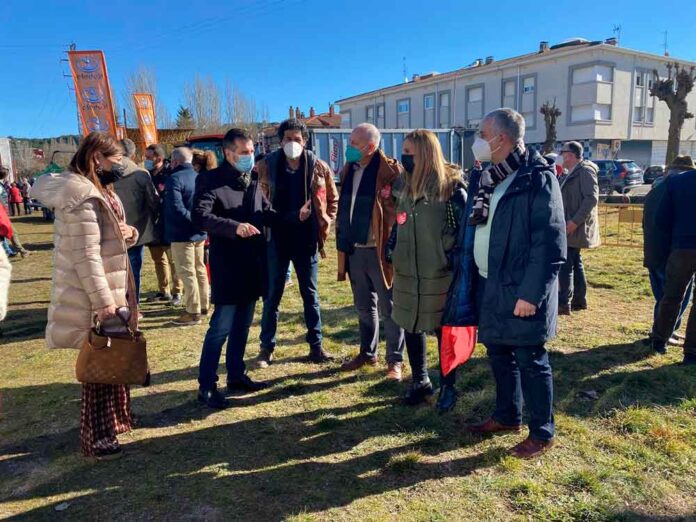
(514, 244)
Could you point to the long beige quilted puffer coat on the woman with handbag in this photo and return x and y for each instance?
(90, 261)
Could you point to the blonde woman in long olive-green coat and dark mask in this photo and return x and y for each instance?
(428, 213)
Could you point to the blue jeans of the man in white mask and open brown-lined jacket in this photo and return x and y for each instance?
(307, 270)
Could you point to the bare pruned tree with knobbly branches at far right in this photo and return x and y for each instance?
(673, 90)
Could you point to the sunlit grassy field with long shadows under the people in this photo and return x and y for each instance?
(321, 445)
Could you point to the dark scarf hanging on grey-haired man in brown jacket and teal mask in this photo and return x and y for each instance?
(355, 231)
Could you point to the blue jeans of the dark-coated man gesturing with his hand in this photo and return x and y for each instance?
(231, 323)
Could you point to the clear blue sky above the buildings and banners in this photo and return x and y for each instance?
(291, 52)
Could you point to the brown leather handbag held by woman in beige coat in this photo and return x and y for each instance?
(114, 354)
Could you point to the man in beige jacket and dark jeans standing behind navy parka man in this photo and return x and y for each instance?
(580, 191)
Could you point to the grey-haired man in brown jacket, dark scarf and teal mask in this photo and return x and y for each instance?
(366, 215)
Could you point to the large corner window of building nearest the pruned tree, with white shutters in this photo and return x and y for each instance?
(591, 93)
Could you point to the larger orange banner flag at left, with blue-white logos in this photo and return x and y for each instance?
(93, 91)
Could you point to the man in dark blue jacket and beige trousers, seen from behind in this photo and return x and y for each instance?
(186, 239)
